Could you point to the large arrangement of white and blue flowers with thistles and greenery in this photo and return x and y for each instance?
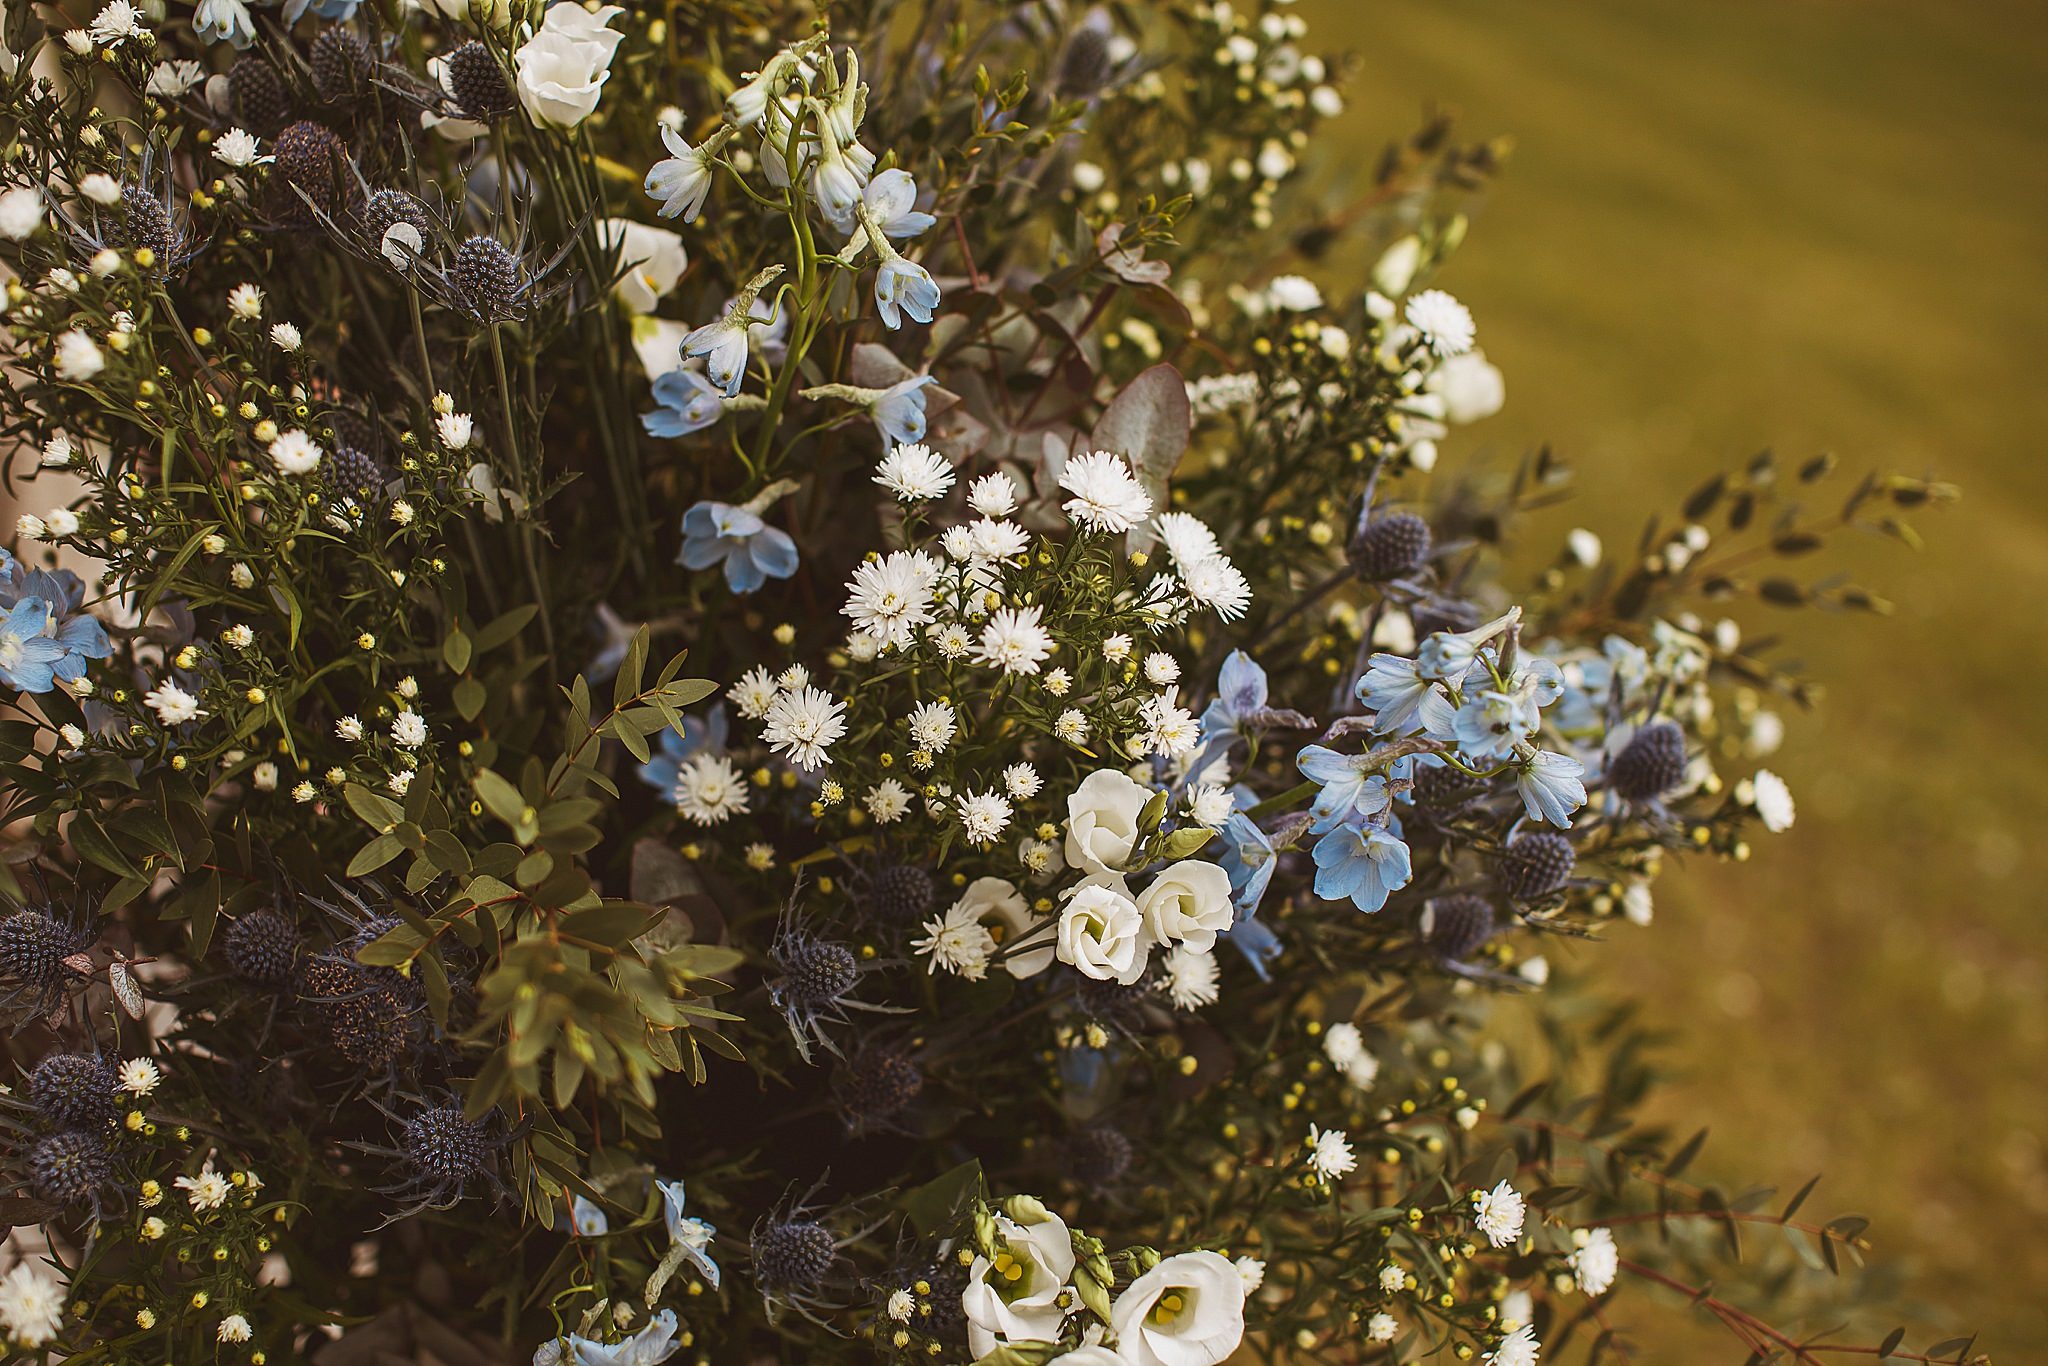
(660, 656)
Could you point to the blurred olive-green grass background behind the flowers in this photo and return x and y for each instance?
(1814, 226)
